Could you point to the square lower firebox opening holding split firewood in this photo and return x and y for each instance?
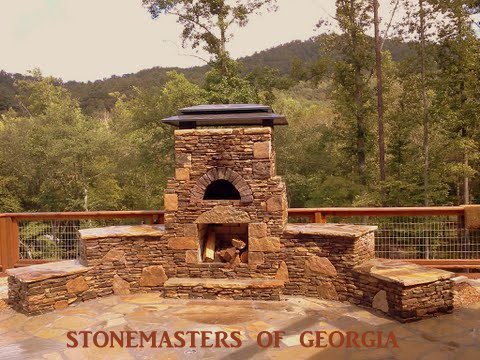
(224, 243)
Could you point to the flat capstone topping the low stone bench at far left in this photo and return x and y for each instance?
(40, 272)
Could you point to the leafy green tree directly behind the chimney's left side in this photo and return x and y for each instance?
(144, 158)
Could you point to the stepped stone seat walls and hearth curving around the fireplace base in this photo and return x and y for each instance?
(329, 261)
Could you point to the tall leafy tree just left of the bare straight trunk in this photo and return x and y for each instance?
(352, 59)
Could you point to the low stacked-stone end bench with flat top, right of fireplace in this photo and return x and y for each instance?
(403, 290)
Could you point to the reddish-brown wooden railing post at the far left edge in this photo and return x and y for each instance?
(9, 243)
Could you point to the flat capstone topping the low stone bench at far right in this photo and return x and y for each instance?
(404, 273)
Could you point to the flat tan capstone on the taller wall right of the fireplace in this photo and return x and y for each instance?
(330, 230)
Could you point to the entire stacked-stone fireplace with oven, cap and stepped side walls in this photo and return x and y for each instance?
(225, 235)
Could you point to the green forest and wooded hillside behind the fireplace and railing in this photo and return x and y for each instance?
(381, 113)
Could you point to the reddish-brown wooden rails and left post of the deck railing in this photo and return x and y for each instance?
(9, 225)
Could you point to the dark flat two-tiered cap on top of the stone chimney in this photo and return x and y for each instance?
(226, 115)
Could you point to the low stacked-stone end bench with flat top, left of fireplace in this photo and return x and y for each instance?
(41, 288)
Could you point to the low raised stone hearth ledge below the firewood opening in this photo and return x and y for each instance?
(237, 289)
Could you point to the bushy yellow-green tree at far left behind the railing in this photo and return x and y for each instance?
(60, 158)
